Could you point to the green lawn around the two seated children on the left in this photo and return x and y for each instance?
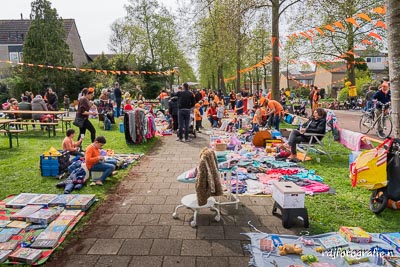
(20, 166)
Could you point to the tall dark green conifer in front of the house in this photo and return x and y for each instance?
(45, 45)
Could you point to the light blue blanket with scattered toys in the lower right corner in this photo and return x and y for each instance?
(347, 247)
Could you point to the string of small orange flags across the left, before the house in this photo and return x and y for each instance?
(105, 72)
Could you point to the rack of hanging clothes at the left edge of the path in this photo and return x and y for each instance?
(138, 126)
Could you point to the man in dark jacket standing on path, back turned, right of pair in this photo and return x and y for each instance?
(186, 101)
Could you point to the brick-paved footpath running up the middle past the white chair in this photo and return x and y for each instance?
(134, 226)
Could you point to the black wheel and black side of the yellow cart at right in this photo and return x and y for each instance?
(380, 197)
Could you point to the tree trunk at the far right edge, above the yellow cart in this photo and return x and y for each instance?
(393, 24)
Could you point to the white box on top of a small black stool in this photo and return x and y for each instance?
(288, 195)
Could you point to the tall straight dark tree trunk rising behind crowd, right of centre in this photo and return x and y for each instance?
(275, 50)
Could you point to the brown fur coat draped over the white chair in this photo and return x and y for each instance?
(208, 178)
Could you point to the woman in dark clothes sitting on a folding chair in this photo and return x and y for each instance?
(316, 125)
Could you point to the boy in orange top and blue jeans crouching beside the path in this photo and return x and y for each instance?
(96, 162)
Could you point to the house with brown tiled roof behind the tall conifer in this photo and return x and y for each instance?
(13, 33)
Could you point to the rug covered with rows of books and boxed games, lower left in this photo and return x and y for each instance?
(32, 226)
